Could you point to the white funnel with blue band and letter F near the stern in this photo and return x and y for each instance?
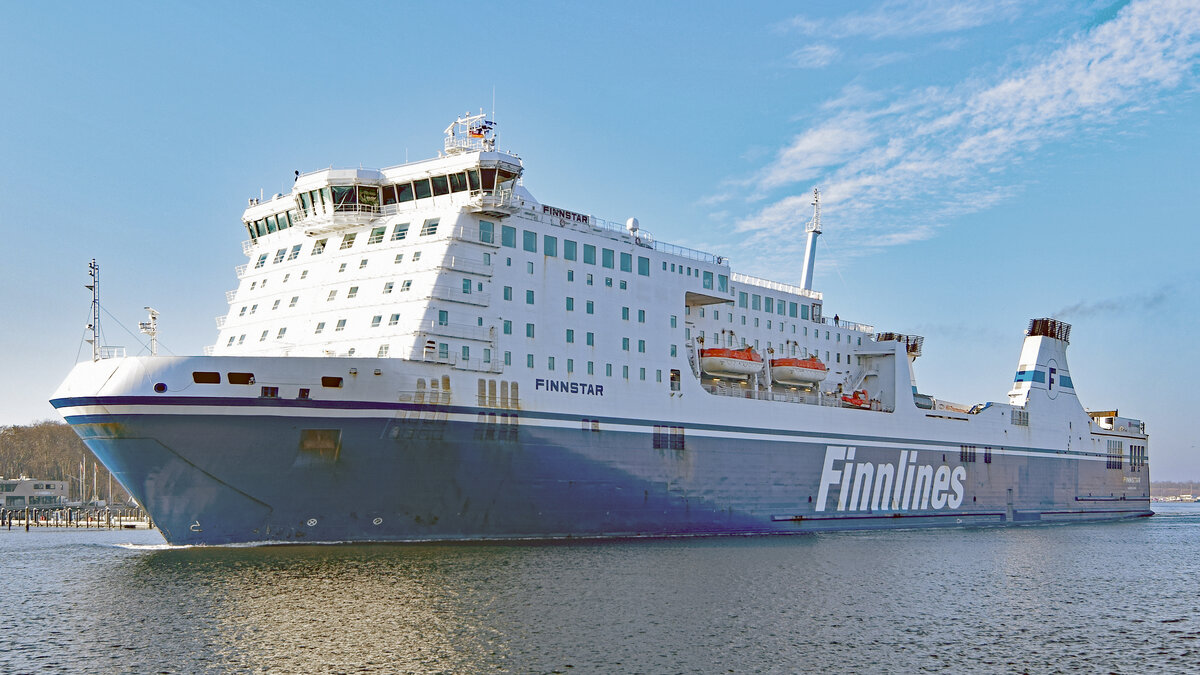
(1042, 371)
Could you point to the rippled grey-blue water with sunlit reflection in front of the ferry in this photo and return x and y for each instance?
(1117, 598)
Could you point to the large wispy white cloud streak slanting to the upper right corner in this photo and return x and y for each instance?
(896, 171)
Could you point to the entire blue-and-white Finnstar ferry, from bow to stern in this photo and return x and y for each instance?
(428, 353)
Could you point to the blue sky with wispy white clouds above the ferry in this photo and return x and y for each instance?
(981, 164)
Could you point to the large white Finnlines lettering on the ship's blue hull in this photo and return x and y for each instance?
(904, 486)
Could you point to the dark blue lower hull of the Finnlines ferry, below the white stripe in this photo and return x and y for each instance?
(223, 480)
